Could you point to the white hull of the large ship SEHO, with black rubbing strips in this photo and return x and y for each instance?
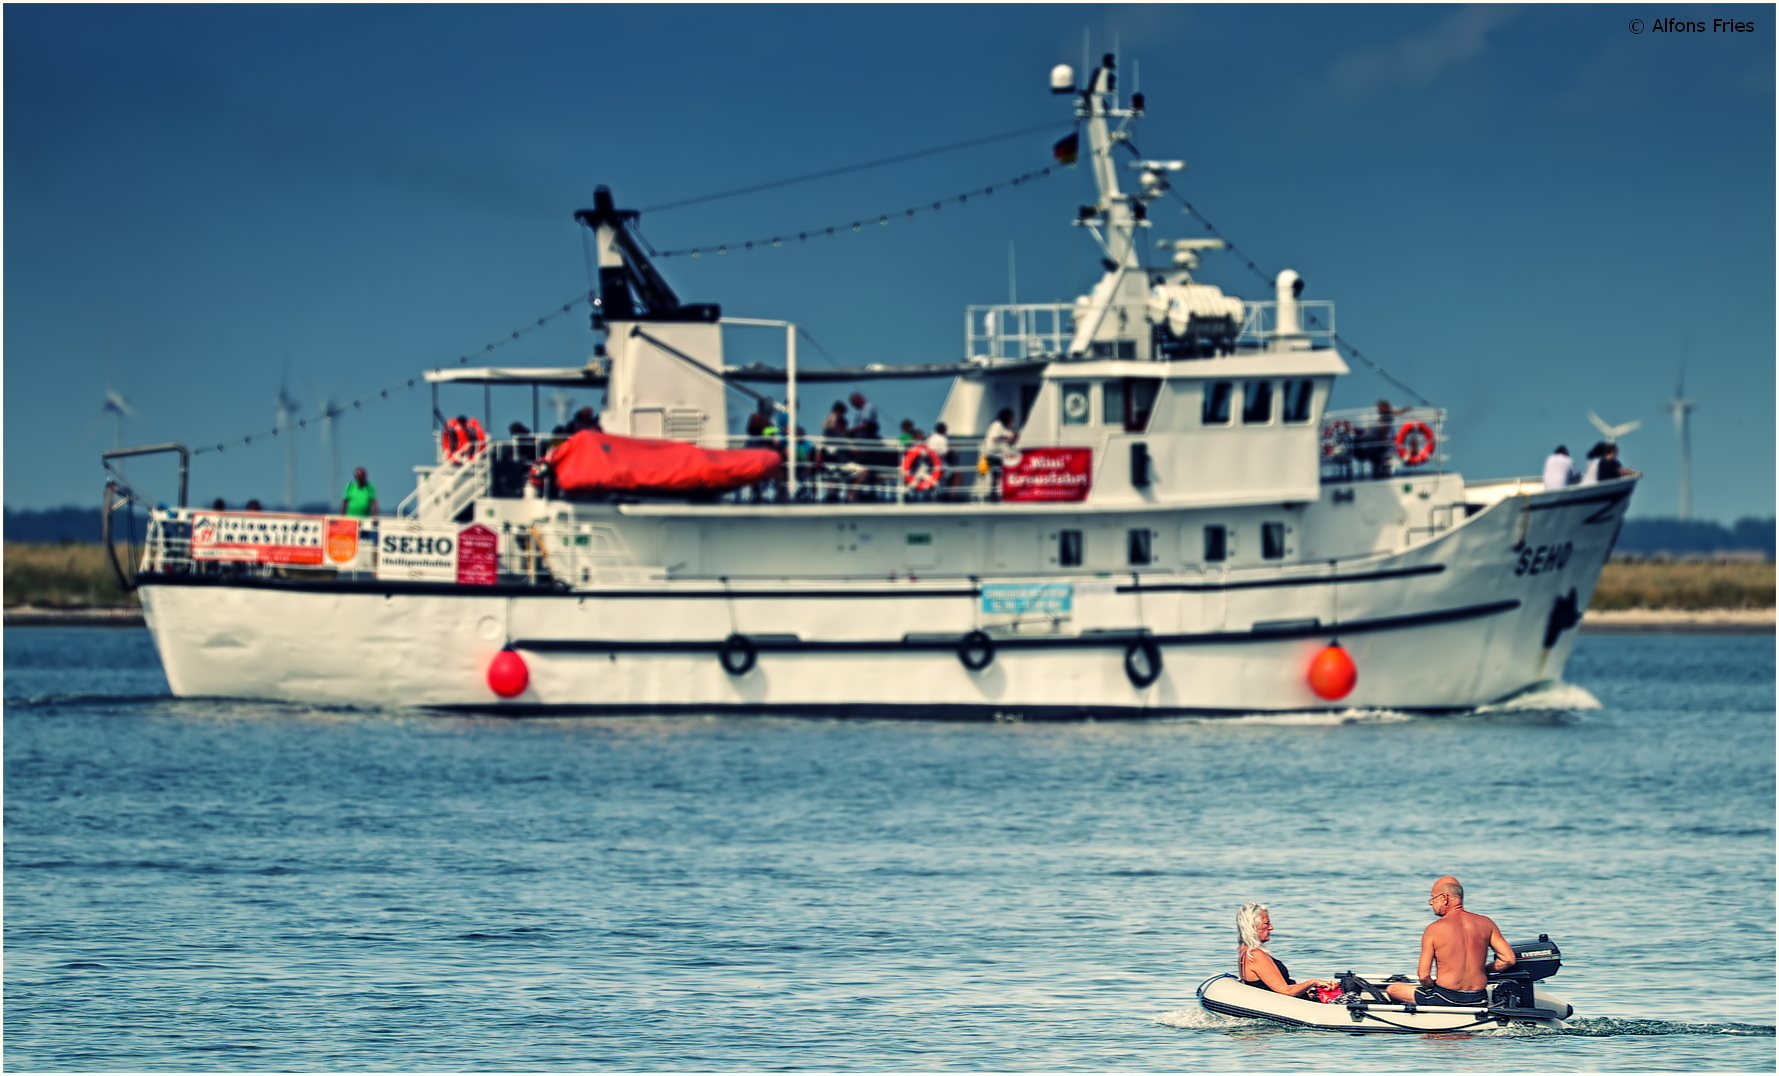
(1469, 618)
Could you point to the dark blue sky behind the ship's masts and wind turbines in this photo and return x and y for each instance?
(1524, 213)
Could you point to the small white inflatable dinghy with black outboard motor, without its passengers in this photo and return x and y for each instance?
(1364, 1008)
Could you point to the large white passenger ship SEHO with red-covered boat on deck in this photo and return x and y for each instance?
(1180, 527)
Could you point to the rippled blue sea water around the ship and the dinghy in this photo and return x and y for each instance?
(205, 885)
